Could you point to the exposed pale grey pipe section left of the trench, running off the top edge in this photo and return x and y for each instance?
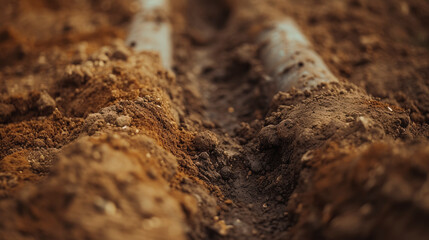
(151, 30)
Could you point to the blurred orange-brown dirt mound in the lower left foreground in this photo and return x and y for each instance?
(109, 191)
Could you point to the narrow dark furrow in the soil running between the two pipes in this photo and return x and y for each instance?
(232, 97)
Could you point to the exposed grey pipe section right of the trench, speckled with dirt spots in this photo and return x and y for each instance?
(290, 59)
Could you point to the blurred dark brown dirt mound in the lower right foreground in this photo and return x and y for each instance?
(361, 194)
